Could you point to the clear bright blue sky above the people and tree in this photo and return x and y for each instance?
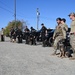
(26, 10)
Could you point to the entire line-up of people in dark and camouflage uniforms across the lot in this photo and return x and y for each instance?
(60, 33)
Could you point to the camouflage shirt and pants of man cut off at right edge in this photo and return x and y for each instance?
(72, 37)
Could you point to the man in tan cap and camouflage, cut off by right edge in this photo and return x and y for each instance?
(72, 33)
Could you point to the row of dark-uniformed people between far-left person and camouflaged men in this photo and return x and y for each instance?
(29, 35)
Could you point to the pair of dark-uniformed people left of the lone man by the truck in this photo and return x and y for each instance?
(30, 35)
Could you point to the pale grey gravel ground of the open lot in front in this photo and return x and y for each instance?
(21, 59)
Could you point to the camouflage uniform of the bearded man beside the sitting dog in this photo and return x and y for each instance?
(59, 34)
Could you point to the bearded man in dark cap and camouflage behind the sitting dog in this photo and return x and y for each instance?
(59, 34)
